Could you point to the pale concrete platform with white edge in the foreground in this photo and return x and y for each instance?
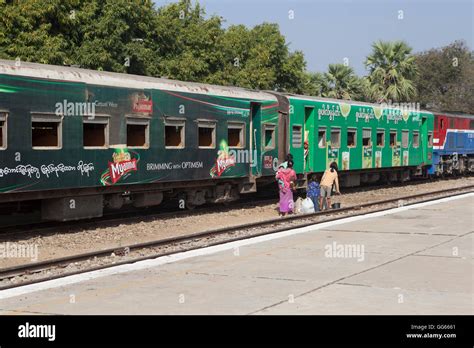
(410, 261)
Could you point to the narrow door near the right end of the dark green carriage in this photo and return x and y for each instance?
(255, 145)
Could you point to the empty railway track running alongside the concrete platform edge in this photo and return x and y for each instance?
(57, 268)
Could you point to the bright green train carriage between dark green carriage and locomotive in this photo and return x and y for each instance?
(367, 141)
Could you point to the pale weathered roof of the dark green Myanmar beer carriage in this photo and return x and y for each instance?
(104, 78)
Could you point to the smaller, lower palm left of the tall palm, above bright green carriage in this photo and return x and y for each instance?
(342, 83)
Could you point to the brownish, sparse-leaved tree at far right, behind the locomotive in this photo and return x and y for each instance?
(446, 78)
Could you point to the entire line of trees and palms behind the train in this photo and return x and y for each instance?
(179, 41)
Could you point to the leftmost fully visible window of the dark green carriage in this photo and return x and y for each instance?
(46, 132)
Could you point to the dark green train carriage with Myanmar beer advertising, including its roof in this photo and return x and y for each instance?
(77, 140)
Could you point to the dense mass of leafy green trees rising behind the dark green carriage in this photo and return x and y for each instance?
(177, 41)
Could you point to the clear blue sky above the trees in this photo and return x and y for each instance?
(327, 31)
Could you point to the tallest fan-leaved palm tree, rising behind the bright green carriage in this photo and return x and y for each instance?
(392, 70)
